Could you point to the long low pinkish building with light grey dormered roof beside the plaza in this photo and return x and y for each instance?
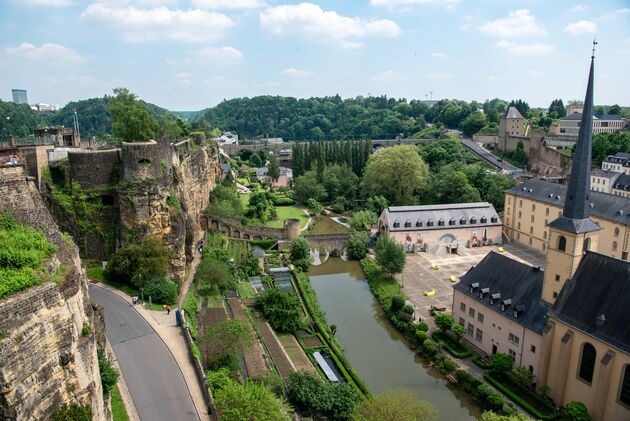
(434, 227)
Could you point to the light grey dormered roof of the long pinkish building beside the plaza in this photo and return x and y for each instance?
(429, 217)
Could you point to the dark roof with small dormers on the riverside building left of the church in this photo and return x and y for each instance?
(513, 280)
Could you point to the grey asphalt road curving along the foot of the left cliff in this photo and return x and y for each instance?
(154, 380)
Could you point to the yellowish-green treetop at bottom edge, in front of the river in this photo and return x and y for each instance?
(399, 405)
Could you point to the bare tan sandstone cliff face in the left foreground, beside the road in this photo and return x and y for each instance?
(44, 358)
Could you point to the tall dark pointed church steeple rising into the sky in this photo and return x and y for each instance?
(575, 215)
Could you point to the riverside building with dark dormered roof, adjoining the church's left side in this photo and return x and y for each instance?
(498, 302)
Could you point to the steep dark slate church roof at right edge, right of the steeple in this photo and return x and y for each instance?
(600, 286)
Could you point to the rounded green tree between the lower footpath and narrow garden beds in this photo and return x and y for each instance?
(225, 338)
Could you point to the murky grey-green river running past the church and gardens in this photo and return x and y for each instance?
(376, 350)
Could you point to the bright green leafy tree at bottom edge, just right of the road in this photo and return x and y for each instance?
(251, 401)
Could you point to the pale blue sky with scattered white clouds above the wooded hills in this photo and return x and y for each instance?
(191, 54)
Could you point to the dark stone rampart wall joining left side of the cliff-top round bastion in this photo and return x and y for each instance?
(94, 168)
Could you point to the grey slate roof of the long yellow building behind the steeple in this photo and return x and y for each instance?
(606, 206)
